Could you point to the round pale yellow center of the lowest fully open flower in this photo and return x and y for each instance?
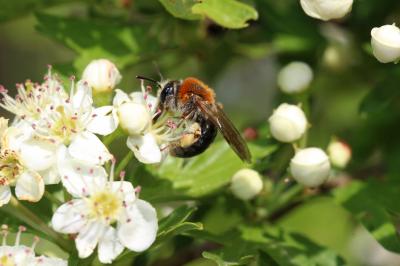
(105, 205)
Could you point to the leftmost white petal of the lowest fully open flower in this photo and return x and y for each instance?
(69, 218)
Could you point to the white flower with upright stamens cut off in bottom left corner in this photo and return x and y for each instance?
(20, 255)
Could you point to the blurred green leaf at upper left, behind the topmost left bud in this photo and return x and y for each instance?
(92, 39)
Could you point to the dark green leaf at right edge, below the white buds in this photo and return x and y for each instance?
(374, 203)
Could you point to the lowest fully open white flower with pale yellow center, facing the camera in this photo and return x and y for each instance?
(98, 205)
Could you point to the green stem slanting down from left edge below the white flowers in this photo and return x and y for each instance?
(19, 211)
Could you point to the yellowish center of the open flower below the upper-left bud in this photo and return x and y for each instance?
(64, 126)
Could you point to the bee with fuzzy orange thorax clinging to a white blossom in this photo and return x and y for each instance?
(195, 101)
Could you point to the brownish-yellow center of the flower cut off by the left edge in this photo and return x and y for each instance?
(10, 167)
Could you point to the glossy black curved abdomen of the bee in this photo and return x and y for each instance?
(208, 134)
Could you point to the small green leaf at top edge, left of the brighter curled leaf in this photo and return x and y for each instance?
(181, 8)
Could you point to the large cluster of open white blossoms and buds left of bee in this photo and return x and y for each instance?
(54, 137)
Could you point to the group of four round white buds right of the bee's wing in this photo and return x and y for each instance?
(288, 123)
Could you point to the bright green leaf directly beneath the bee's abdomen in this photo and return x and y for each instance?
(208, 172)
